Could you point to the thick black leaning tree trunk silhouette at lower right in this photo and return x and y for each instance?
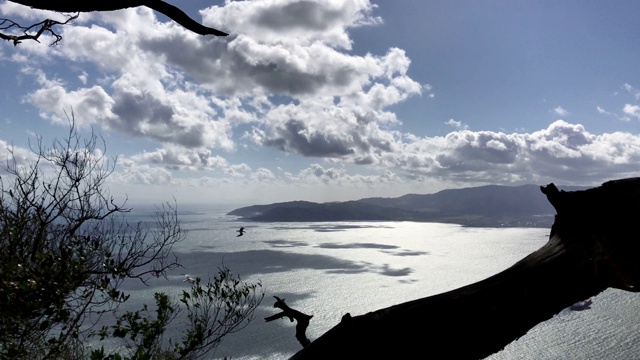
(592, 246)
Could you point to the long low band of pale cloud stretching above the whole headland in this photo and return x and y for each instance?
(563, 153)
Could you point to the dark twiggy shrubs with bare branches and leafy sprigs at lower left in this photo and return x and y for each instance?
(66, 249)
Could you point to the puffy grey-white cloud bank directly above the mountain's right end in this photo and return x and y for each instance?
(562, 152)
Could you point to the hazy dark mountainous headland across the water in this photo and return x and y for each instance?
(491, 206)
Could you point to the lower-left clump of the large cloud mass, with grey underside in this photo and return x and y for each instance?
(170, 117)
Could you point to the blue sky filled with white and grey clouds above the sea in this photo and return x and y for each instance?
(327, 100)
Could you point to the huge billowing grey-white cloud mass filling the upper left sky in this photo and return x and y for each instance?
(224, 83)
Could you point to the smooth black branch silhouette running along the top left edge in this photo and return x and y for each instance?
(73, 6)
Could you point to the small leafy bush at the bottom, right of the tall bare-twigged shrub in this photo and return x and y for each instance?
(209, 312)
